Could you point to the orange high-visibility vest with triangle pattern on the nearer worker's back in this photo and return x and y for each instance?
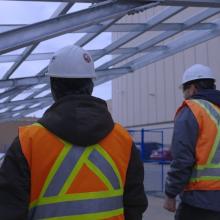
(73, 182)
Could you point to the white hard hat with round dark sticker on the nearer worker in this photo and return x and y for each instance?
(71, 62)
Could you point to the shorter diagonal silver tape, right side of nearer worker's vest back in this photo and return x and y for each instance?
(98, 160)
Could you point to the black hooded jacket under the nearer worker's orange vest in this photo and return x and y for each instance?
(80, 119)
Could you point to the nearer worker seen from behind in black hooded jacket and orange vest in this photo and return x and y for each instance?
(75, 162)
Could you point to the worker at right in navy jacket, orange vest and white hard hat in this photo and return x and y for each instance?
(195, 169)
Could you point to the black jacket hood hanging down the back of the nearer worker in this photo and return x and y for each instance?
(79, 119)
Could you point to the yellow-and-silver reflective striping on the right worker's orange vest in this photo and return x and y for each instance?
(211, 170)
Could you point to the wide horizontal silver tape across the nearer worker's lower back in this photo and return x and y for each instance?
(76, 208)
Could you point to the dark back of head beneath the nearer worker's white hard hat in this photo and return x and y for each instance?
(61, 87)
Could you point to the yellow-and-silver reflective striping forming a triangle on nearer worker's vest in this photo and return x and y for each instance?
(54, 201)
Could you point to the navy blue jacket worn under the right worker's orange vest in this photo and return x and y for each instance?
(184, 141)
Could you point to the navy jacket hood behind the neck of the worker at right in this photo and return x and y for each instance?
(210, 95)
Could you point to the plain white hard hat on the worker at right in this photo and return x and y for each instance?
(197, 71)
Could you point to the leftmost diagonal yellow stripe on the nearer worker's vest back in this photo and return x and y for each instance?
(53, 171)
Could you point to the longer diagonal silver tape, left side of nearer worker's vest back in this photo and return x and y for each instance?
(64, 171)
